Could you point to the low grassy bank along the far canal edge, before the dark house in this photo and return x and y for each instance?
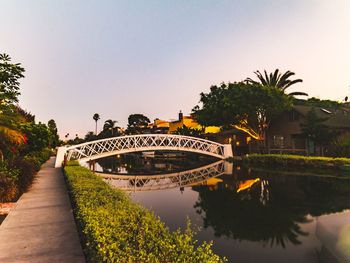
(291, 162)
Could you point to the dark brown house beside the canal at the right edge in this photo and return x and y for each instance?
(285, 134)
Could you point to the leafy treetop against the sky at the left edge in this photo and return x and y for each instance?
(9, 80)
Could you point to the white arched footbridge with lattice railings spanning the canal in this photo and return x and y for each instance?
(140, 143)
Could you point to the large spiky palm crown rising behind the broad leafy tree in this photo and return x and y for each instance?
(277, 80)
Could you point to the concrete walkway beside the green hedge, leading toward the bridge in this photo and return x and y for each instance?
(41, 227)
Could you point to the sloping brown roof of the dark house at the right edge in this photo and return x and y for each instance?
(335, 118)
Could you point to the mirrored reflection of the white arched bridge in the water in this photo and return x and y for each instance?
(166, 181)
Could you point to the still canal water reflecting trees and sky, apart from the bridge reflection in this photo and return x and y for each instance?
(251, 216)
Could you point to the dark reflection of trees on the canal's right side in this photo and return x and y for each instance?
(272, 210)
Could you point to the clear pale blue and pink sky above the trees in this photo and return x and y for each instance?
(155, 57)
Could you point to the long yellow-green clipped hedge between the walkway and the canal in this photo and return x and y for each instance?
(114, 229)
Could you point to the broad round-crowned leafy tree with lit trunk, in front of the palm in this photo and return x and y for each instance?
(247, 107)
